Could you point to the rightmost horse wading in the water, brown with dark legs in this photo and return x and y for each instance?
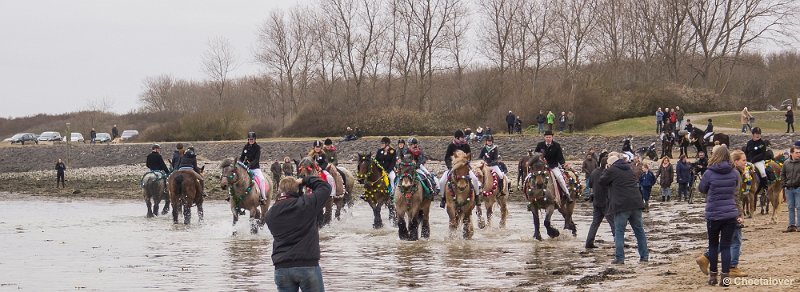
(540, 190)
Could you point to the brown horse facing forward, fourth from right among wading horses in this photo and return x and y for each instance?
(411, 202)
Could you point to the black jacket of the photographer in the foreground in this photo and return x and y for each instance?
(293, 224)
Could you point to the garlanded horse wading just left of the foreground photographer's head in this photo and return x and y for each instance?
(244, 193)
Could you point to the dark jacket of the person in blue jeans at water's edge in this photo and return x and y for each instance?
(623, 188)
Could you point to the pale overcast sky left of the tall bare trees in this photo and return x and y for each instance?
(61, 56)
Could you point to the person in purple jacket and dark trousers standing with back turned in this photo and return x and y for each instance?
(720, 184)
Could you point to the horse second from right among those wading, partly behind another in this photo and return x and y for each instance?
(490, 193)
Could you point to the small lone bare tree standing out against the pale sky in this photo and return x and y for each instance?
(218, 62)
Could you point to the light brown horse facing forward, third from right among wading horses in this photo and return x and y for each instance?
(460, 195)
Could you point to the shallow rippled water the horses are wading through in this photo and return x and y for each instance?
(95, 244)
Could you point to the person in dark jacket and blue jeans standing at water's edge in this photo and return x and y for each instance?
(625, 204)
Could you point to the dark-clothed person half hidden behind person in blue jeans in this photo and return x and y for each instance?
(599, 204)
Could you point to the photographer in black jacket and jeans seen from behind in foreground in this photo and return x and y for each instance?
(293, 224)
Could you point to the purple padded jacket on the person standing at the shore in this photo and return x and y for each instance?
(720, 182)
